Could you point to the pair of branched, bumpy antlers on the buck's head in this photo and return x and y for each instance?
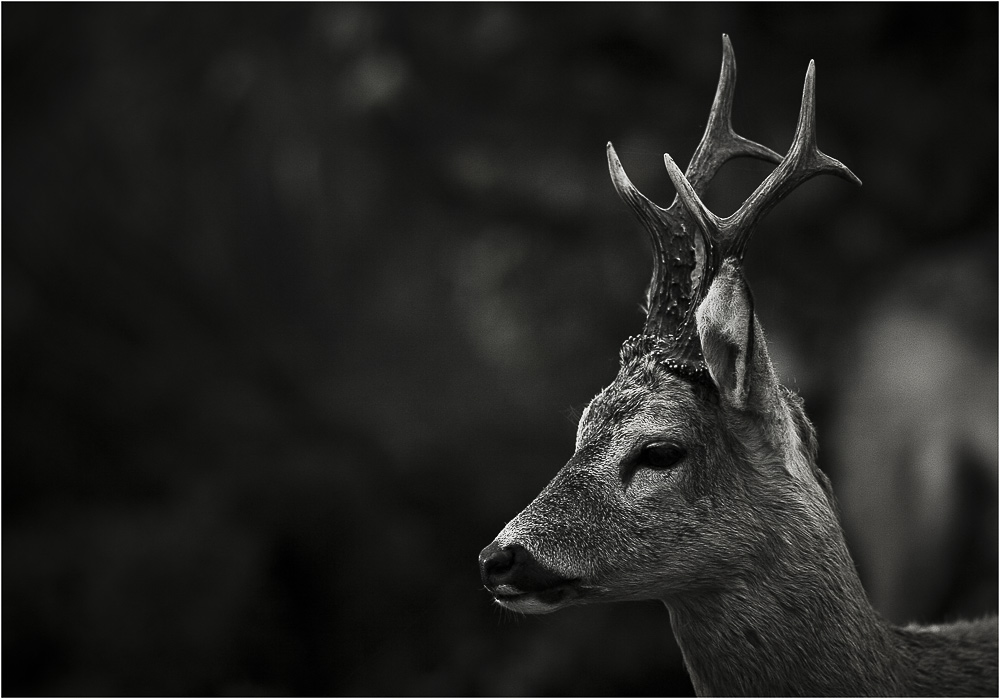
(689, 241)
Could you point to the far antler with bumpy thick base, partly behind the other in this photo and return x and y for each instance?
(671, 297)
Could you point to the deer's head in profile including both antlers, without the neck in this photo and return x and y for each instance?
(689, 465)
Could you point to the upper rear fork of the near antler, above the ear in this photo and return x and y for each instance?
(803, 161)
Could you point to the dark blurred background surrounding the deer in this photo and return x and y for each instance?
(300, 304)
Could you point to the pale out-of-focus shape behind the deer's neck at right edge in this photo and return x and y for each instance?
(917, 440)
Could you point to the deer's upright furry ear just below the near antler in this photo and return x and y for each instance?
(726, 327)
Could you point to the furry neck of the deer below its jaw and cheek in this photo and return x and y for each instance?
(800, 624)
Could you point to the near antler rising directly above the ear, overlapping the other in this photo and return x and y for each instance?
(728, 237)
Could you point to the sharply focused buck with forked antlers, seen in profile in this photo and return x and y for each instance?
(694, 479)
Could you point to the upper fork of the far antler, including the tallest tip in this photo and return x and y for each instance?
(720, 143)
